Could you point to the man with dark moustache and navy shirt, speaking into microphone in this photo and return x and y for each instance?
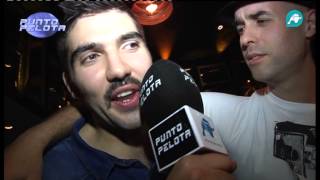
(105, 60)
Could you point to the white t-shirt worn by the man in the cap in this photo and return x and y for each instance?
(268, 137)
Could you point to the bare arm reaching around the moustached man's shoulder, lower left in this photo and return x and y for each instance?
(23, 157)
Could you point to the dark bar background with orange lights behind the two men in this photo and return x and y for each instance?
(195, 35)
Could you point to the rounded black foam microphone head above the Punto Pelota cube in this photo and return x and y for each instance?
(165, 88)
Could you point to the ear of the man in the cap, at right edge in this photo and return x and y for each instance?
(310, 19)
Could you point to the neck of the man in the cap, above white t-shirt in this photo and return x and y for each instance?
(300, 87)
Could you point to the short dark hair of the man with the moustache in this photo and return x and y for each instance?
(74, 10)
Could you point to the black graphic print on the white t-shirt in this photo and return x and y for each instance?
(295, 144)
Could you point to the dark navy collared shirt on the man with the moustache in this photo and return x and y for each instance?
(73, 158)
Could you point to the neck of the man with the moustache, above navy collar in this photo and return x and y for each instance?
(101, 139)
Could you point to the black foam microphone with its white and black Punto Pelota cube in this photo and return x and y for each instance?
(171, 108)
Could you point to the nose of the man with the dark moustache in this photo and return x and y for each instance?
(117, 68)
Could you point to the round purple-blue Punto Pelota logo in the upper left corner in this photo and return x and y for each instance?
(41, 25)
